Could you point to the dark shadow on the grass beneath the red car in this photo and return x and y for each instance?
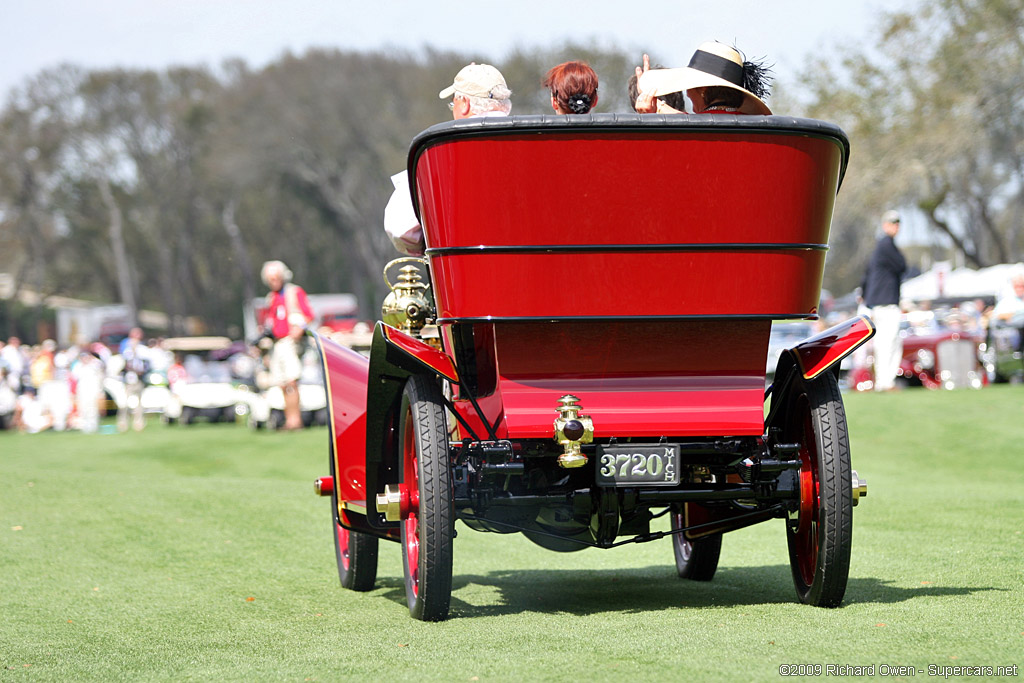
(651, 589)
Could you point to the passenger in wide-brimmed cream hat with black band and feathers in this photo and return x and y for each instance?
(718, 80)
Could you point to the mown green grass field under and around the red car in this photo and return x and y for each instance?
(202, 554)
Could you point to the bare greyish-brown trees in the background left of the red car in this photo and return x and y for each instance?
(166, 190)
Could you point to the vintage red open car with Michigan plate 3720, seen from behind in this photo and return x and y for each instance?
(605, 287)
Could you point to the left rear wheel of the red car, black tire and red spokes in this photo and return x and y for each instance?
(429, 530)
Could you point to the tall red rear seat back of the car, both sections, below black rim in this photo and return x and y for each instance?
(660, 188)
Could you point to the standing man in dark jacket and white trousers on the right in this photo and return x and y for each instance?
(881, 293)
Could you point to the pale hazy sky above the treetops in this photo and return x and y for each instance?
(38, 34)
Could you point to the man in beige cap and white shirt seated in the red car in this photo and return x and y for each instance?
(479, 91)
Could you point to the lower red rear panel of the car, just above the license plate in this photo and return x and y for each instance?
(669, 378)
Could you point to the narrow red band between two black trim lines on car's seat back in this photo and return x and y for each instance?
(774, 284)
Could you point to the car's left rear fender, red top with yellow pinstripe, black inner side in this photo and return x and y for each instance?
(395, 356)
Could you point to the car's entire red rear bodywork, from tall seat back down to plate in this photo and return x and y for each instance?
(664, 291)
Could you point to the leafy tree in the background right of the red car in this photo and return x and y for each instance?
(936, 121)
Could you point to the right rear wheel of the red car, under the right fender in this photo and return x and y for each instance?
(820, 532)
